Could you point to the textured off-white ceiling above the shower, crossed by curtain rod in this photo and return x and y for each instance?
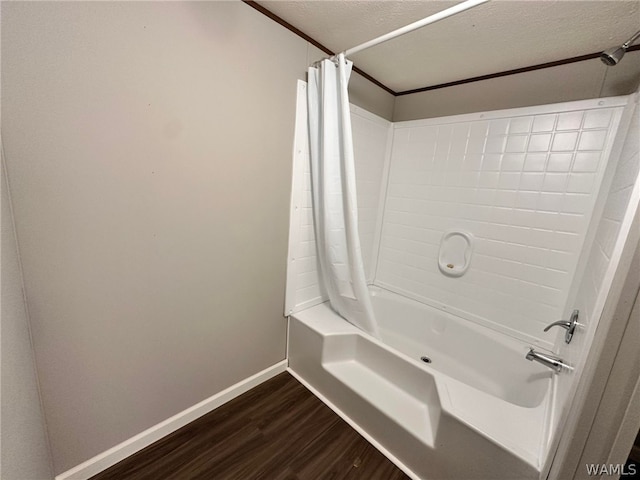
(494, 37)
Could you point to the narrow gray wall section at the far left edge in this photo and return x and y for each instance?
(25, 451)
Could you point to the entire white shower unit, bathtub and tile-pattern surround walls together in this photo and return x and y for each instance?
(529, 185)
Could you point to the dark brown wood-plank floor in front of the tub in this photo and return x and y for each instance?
(276, 431)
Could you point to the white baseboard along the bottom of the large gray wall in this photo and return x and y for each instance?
(101, 462)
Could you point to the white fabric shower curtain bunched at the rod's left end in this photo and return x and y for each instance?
(335, 207)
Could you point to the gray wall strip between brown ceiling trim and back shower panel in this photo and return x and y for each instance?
(565, 83)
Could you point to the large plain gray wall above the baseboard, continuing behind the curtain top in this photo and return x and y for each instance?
(148, 147)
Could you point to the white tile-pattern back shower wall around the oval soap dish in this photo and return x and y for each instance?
(523, 182)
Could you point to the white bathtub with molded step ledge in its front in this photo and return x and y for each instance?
(477, 410)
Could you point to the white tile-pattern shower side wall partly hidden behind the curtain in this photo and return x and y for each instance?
(371, 135)
